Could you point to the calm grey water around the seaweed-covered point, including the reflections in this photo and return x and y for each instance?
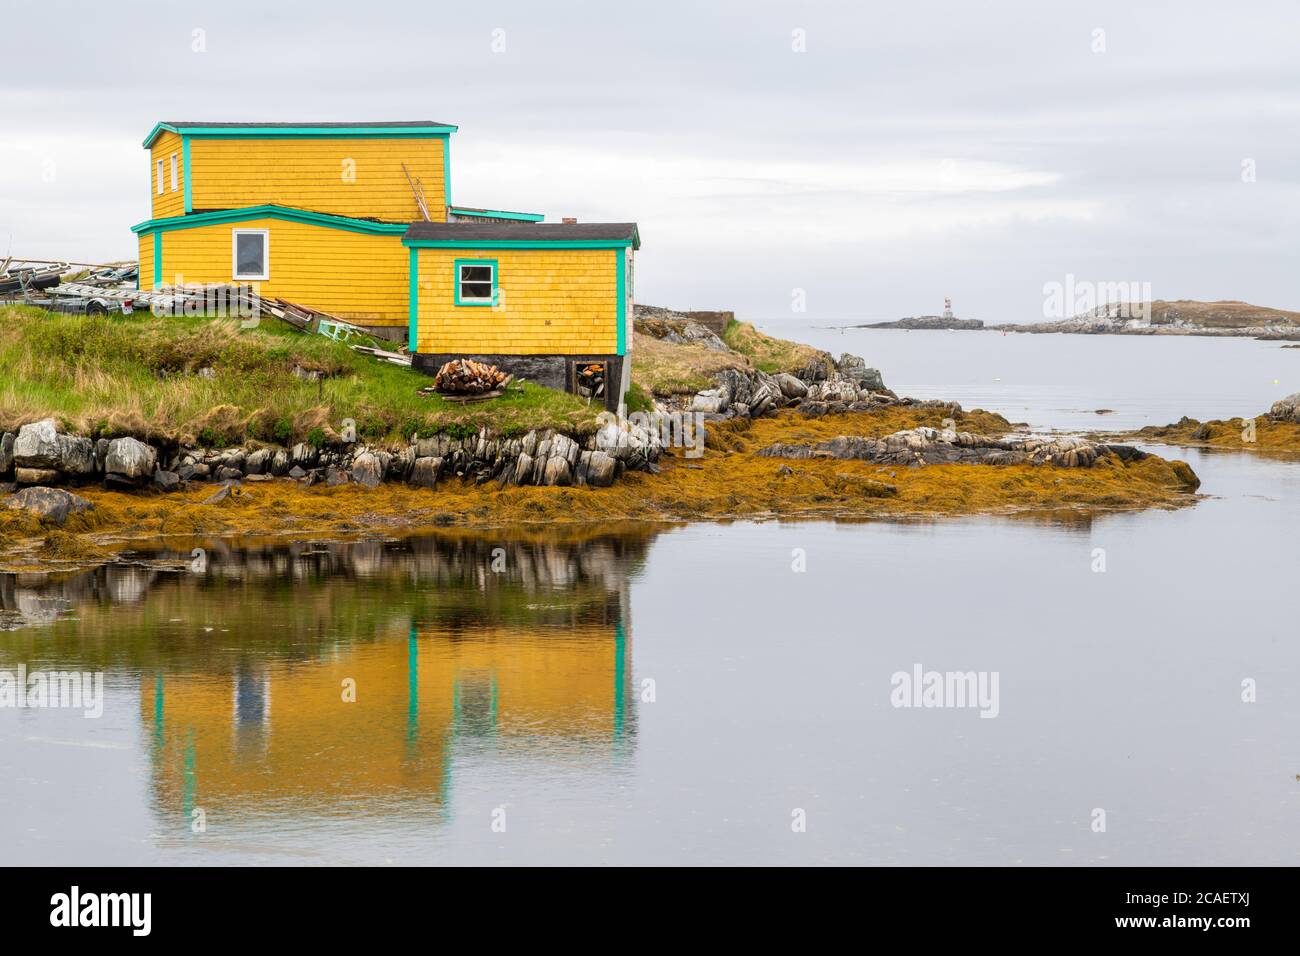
(512, 685)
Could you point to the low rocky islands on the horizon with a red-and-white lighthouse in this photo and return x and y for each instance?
(1158, 318)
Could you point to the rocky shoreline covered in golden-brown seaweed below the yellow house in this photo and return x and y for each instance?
(826, 439)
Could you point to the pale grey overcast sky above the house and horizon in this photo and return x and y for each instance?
(912, 152)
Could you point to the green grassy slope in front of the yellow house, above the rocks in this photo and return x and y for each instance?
(140, 377)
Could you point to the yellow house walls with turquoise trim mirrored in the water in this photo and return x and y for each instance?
(318, 750)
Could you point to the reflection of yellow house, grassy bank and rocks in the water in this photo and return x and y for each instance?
(328, 678)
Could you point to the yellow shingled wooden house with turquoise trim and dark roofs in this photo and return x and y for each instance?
(357, 219)
